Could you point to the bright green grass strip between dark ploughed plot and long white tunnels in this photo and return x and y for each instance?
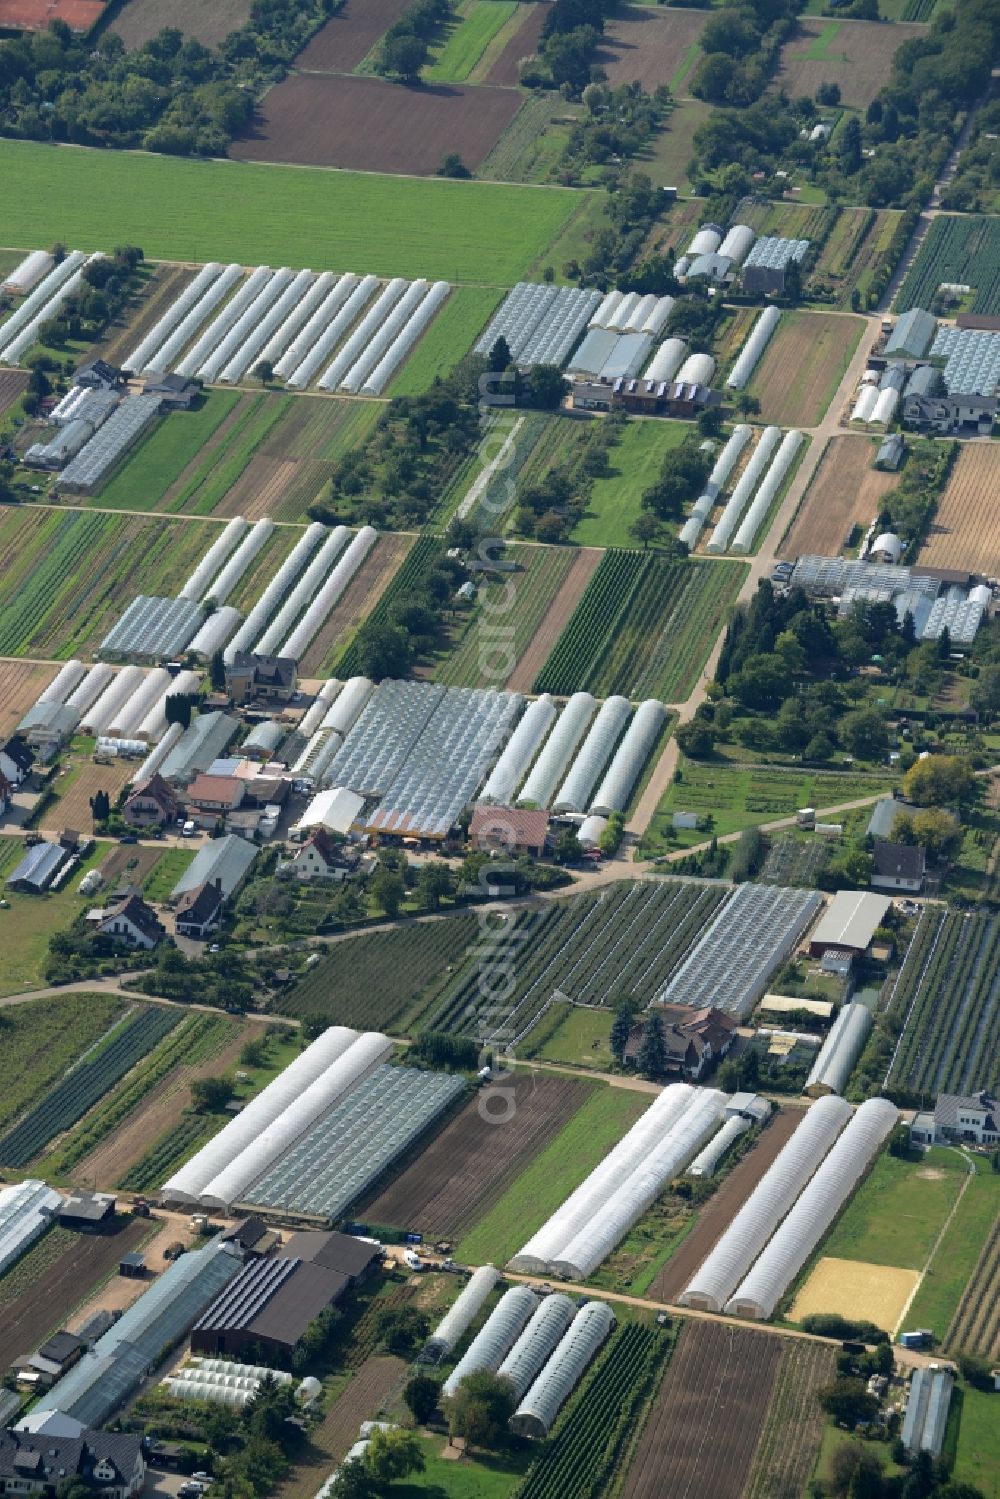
(552, 1176)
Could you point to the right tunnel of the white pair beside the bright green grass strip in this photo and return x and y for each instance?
(665, 1159)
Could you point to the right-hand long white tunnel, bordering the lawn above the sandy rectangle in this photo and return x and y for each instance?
(816, 1209)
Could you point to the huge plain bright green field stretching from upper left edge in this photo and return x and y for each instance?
(283, 215)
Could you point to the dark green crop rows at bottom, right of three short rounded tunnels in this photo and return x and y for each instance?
(579, 1461)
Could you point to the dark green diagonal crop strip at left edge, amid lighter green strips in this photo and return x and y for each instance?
(86, 1086)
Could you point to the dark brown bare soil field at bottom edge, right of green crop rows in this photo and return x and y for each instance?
(702, 1432)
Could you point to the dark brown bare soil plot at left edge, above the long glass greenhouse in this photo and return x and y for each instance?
(44, 1305)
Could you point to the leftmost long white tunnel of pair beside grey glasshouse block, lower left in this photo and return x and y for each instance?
(187, 1183)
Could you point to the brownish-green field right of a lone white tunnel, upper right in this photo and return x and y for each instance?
(803, 367)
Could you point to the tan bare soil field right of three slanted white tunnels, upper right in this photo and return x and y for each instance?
(845, 492)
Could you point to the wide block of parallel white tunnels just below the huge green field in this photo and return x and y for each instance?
(350, 332)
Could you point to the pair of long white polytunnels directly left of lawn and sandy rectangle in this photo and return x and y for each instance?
(792, 1207)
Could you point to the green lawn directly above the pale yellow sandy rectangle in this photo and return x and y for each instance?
(900, 1210)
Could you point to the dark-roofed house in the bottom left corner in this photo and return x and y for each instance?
(106, 1464)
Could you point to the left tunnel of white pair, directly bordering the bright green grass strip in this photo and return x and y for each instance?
(546, 1245)
